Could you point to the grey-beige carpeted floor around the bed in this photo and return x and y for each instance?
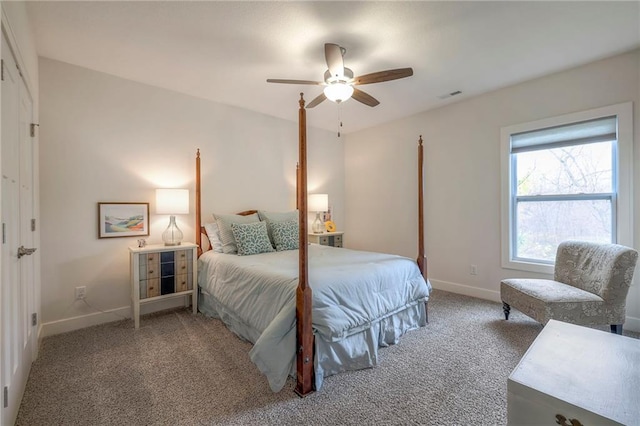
(184, 369)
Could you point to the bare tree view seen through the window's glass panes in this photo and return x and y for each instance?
(563, 193)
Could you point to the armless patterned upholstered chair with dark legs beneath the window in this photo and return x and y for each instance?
(589, 287)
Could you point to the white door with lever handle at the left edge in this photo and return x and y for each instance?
(18, 293)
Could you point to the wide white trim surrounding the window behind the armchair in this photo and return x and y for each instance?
(624, 160)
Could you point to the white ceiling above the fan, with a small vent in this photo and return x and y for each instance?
(224, 51)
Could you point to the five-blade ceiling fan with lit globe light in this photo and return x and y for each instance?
(339, 81)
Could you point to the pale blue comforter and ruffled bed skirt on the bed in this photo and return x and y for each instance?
(361, 300)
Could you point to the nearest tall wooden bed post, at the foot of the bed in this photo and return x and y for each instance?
(304, 332)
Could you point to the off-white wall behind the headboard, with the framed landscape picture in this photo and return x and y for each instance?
(108, 139)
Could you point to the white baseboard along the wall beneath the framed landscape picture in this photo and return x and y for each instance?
(83, 321)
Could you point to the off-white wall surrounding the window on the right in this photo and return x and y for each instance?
(462, 174)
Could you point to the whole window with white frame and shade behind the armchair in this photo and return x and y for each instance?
(565, 178)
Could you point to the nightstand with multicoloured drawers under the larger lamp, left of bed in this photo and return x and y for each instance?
(161, 272)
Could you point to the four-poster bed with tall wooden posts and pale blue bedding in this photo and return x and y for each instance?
(359, 302)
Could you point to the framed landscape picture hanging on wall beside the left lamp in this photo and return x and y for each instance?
(123, 220)
